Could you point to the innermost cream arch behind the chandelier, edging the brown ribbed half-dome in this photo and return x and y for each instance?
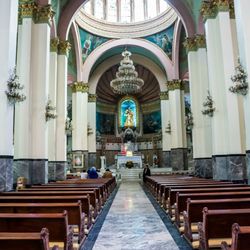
(142, 60)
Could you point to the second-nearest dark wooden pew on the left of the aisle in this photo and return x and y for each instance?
(57, 224)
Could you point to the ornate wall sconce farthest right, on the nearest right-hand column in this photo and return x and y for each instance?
(240, 80)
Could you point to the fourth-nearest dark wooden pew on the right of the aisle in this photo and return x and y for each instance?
(181, 200)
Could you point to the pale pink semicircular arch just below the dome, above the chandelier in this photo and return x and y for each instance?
(93, 57)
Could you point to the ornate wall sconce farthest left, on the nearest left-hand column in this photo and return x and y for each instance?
(14, 87)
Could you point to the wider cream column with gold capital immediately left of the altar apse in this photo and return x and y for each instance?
(80, 119)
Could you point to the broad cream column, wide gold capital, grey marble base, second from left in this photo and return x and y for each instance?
(31, 152)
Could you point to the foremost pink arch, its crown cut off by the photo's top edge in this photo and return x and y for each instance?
(73, 6)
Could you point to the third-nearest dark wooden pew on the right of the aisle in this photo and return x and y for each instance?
(193, 213)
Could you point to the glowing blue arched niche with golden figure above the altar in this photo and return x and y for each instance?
(128, 112)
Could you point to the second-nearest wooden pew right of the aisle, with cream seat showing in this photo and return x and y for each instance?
(216, 226)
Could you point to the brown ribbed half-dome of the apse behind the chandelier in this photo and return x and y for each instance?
(150, 90)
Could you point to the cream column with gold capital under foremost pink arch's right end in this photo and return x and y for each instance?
(199, 84)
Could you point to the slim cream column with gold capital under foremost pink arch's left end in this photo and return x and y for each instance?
(61, 108)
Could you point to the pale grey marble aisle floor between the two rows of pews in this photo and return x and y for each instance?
(133, 223)
